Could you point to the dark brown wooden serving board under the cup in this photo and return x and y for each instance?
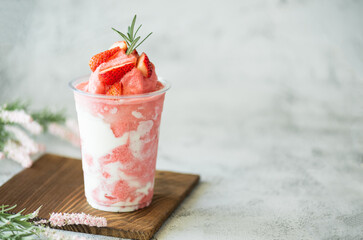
(56, 184)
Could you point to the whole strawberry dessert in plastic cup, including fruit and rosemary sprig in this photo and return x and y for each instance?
(119, 109)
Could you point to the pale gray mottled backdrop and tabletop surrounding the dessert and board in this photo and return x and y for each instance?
(266, 103)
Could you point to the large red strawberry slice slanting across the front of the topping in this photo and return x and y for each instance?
(113, 74)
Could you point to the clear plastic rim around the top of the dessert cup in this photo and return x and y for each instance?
(72, 84)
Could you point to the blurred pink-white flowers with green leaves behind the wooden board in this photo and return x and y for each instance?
(16, 122)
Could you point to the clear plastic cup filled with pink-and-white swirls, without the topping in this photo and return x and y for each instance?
(119, 143)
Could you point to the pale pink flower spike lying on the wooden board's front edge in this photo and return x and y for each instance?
(62, 219)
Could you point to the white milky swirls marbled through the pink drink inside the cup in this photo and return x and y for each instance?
(98, 140)
